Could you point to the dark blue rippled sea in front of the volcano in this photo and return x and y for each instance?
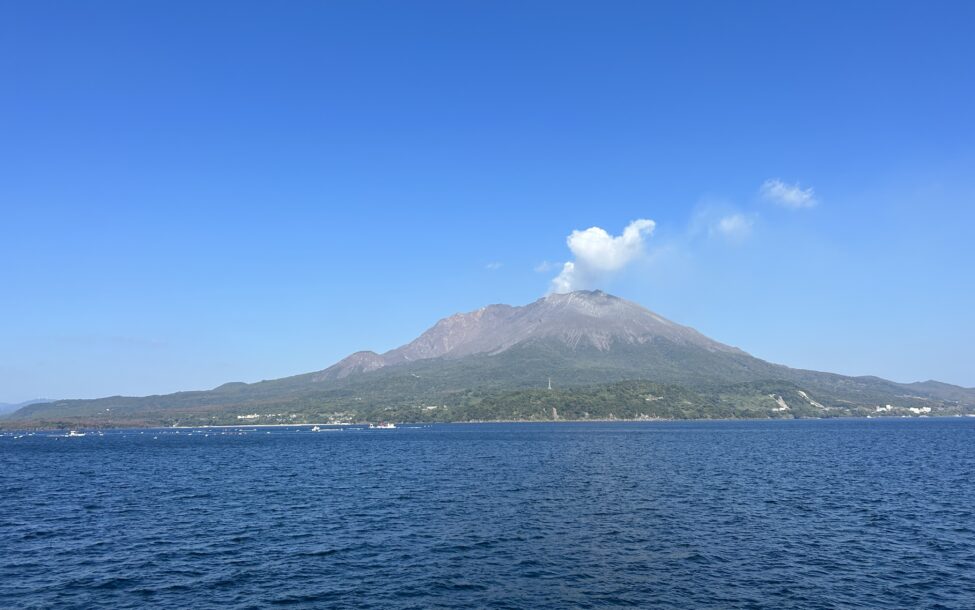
(812, 514)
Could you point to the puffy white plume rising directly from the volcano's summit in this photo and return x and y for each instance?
(599, 254)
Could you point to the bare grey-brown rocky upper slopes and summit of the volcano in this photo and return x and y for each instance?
(577, 319)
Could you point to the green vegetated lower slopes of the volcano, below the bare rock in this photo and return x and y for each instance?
(647, 381)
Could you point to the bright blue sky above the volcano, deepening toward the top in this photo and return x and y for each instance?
(198, 192)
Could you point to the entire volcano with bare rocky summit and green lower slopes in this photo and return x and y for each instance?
(606, 357)
